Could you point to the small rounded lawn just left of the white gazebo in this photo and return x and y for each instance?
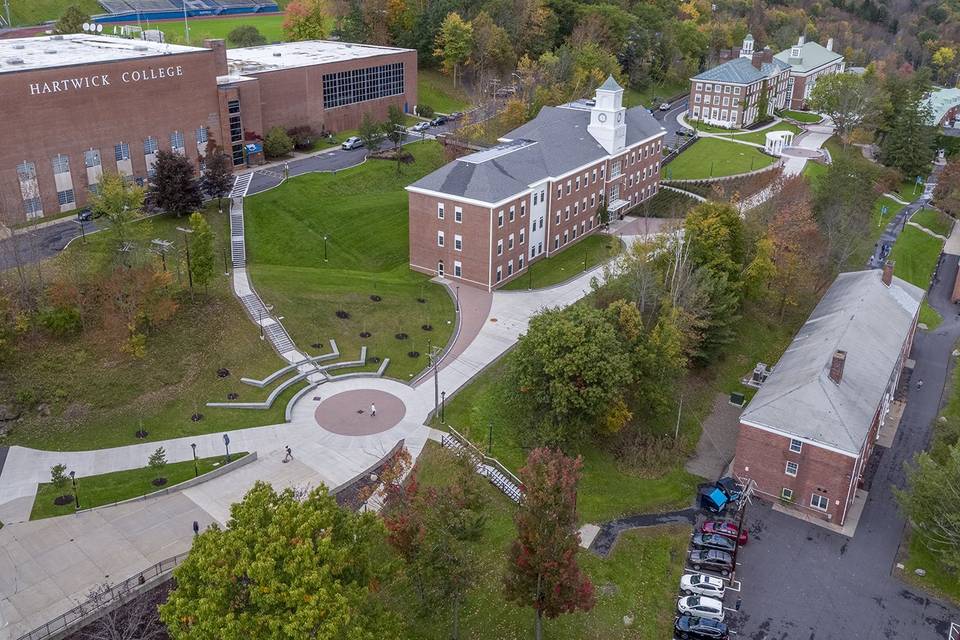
(711, 157)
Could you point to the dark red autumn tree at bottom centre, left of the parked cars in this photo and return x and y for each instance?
(542, 569)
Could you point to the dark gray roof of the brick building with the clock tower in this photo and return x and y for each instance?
(553, 144)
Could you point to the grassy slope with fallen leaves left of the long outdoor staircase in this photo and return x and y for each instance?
(99, 397)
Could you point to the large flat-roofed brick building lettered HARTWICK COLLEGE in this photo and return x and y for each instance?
(76, 106)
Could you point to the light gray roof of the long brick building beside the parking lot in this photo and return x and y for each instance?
(868, 320)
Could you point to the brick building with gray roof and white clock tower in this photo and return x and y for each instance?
(482, 219)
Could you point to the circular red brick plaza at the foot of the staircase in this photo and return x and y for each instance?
(348, 413)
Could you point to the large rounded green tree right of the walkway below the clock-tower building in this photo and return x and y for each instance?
(569, 367)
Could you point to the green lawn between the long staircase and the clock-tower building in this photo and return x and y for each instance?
(363, 212)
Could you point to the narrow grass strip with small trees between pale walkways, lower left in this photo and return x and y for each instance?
(107, 488)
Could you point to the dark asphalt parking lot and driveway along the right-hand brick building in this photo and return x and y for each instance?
(803, 581)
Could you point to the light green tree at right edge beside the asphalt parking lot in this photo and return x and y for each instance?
(931, 502)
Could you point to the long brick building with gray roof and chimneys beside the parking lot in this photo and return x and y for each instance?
(807, 435)
